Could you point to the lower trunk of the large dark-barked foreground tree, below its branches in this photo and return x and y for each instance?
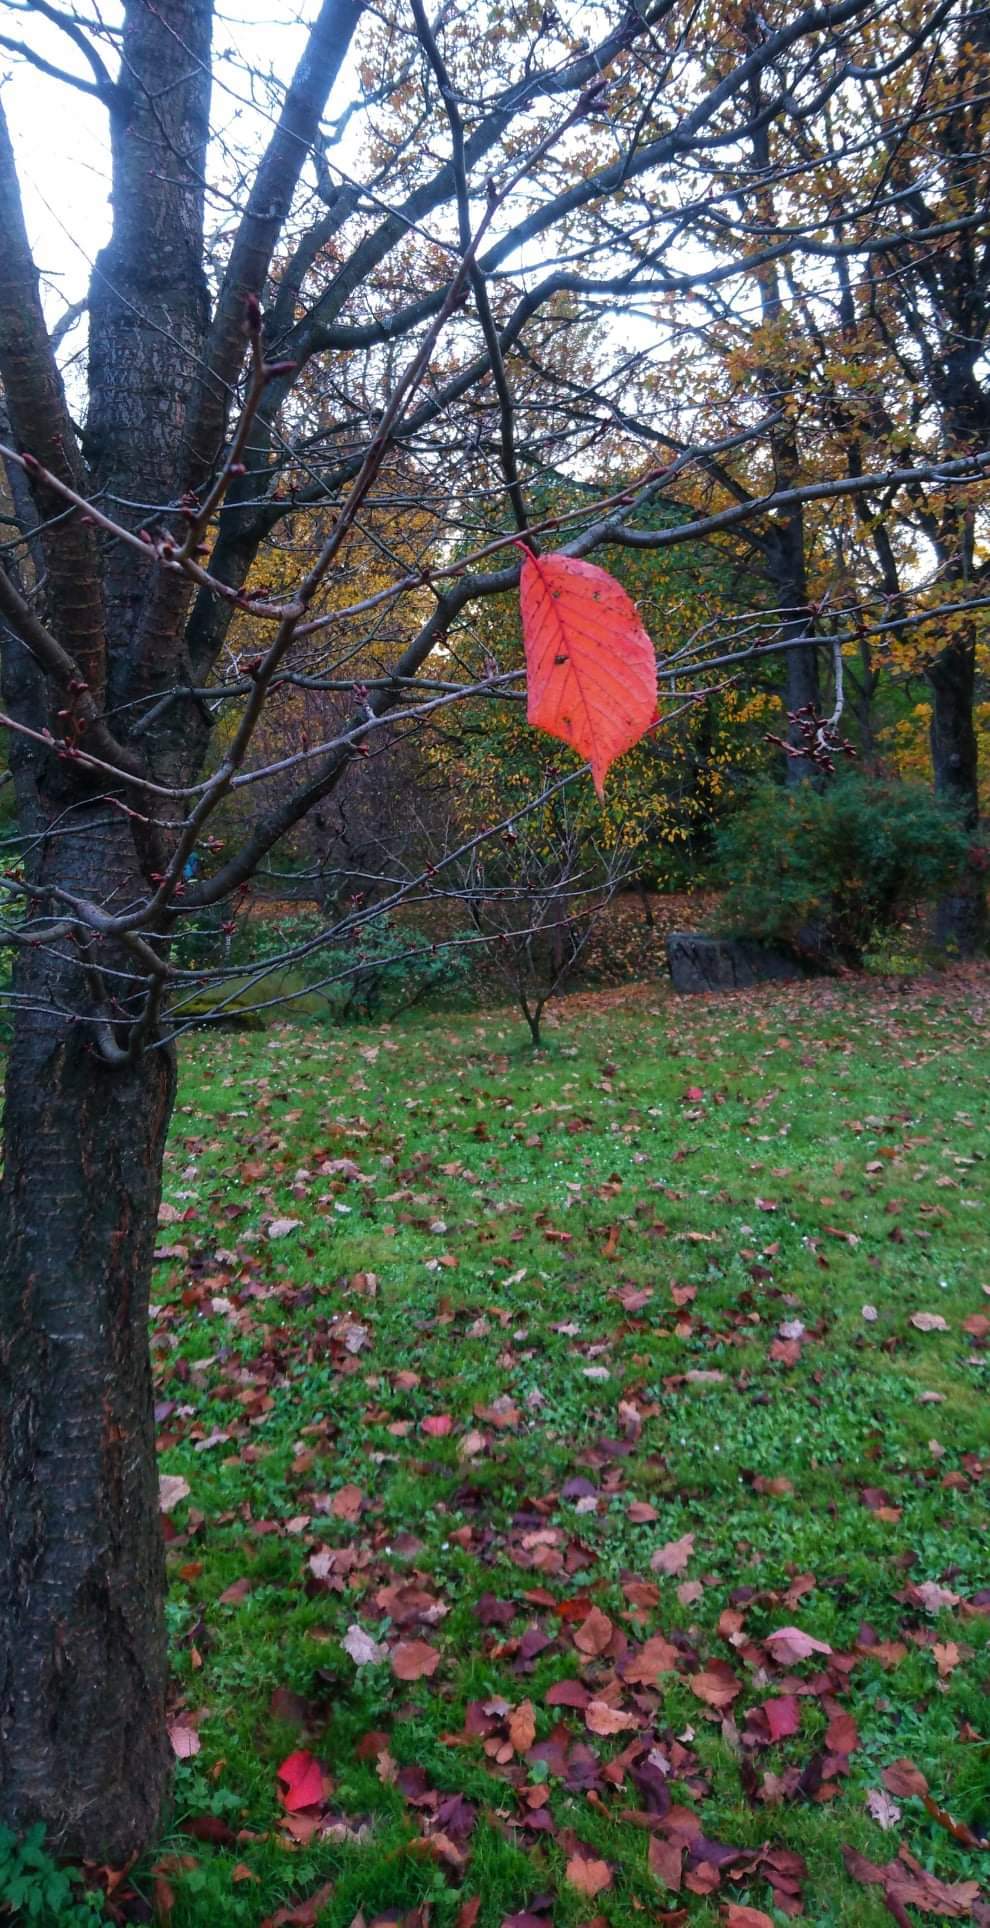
(82, 1566)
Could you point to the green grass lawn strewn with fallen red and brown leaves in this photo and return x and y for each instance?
(522, 1401)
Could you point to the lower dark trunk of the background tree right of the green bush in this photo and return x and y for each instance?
(962, 915)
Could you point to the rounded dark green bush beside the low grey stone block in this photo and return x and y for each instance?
(827, 872)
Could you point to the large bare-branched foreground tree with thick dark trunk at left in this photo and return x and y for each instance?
(287, 306)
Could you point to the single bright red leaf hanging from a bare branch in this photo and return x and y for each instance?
(591, 668)
